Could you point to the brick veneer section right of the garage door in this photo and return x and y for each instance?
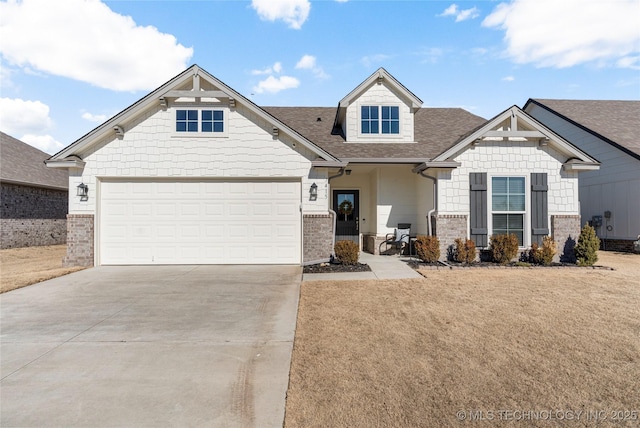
(318, 238)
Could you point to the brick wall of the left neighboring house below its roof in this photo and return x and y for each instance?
(32, 216)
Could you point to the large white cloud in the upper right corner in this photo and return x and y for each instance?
(569, 32)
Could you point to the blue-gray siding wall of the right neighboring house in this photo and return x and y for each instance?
(614, 187)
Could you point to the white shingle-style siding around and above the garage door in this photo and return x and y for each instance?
(151, 149)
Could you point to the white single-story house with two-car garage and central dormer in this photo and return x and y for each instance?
(195, 172)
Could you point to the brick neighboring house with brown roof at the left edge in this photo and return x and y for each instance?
(33, 198)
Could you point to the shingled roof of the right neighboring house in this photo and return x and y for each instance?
(616, 121)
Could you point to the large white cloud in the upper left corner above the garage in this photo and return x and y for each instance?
(87, 41)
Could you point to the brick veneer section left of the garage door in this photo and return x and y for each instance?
(80, 240)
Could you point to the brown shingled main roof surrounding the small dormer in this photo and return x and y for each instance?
(436, 129)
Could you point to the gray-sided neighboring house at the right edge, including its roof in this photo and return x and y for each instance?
(608, 130)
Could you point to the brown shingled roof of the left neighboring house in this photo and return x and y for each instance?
(21, 163)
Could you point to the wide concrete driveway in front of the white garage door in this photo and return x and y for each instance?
(149, 346)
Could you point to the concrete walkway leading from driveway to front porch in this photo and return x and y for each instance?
(382, 267)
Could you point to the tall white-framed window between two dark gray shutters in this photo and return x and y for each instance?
(508, 206)
